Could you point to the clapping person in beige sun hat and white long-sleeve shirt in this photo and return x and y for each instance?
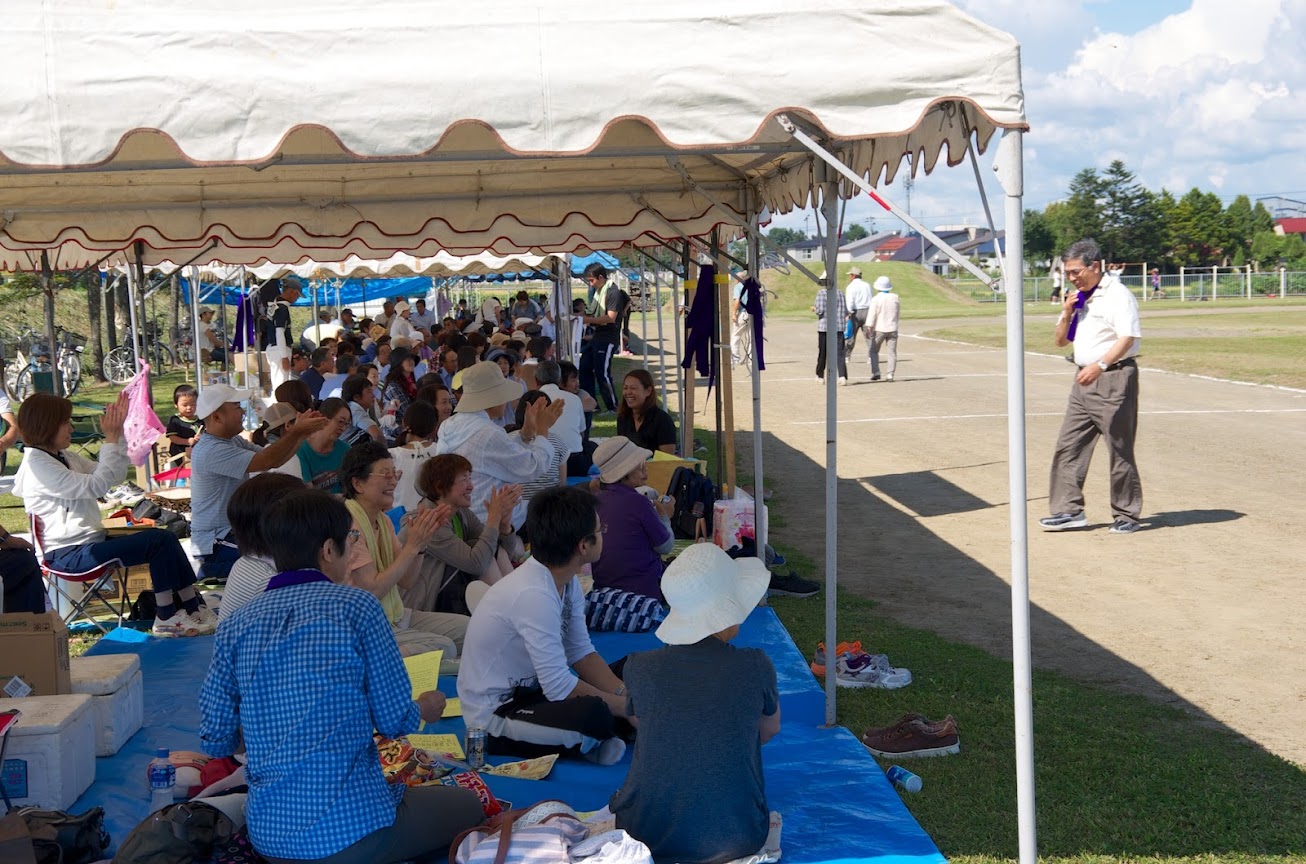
(498, 457)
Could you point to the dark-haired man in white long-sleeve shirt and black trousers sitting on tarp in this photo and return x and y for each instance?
(531, 677)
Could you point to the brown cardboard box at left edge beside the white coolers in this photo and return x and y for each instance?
(33, 656)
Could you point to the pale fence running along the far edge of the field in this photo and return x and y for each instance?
(1197, 286)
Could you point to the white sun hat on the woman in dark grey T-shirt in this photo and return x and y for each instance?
(710, 592)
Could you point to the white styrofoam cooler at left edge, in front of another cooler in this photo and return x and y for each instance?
(50, 759)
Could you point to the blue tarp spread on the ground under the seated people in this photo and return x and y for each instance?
(835, 801)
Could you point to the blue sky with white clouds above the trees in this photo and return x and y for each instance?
(1189, 93)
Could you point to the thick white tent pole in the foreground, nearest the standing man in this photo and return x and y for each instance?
(1010, 168)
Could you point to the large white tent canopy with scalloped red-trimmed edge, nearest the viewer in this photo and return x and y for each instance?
(462, 127)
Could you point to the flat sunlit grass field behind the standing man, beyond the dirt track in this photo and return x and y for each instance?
(1262, 348)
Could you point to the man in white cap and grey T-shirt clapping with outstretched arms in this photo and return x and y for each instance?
(221, 461)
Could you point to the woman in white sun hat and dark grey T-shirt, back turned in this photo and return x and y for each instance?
(703, 703)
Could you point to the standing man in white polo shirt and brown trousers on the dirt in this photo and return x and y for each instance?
(1102, 320)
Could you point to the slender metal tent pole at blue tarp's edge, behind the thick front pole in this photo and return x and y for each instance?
(830, 209)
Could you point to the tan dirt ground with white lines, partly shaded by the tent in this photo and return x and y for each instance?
(1203, 610)
